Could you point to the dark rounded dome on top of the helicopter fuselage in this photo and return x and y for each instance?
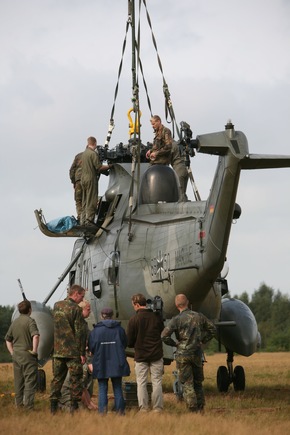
(159, 184)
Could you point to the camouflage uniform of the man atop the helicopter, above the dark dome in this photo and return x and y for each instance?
(162, 144)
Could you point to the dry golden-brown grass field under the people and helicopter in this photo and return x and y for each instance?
(263, 408)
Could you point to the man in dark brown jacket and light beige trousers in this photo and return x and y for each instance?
(144, 334)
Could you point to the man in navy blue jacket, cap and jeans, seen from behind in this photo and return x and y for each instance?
(107, 343)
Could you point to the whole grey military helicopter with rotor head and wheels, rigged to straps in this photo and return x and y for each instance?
(145, 239)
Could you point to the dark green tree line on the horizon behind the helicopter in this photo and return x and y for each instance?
(271, 309)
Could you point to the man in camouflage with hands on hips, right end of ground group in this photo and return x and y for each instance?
(191, 330)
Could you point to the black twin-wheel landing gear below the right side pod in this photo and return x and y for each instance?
(228, 375)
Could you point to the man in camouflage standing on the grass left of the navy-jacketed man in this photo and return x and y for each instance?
(69, 347)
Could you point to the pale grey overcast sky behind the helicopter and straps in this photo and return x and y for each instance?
(58, 71)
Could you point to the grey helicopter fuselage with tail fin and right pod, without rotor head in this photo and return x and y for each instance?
(147, 241)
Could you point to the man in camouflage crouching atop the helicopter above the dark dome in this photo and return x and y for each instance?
(160, 153)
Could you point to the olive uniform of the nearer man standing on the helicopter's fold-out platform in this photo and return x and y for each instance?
(89, 180)
